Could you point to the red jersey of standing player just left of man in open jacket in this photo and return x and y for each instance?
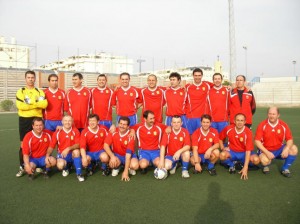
(218, 104)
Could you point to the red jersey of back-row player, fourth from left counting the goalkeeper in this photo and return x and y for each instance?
(102, 103)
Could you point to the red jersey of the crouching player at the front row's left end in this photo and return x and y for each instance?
(36, 146)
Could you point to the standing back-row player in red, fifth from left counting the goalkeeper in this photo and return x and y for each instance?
(126, 99)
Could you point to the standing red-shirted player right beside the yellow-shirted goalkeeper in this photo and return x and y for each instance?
(55, 110)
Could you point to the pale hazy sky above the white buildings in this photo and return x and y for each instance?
(165, 33)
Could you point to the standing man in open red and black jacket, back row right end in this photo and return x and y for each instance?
(242, 101)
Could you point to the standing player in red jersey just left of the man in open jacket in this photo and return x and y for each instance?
(218, 103)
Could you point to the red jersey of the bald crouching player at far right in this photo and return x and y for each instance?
(273, 136)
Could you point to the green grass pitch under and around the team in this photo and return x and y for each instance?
(201, 199)
